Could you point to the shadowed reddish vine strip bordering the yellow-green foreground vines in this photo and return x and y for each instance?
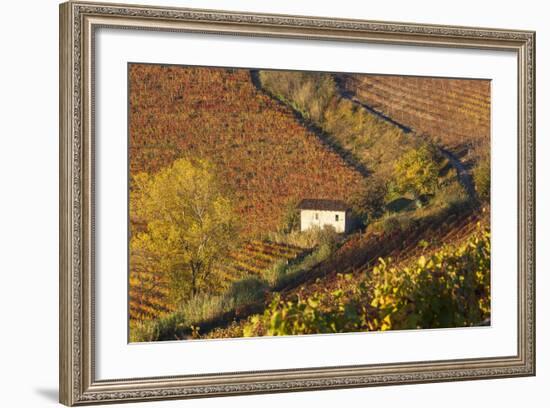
(357, 257)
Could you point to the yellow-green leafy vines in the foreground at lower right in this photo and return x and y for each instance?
(448, 288)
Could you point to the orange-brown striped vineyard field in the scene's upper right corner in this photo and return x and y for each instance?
(453, 112)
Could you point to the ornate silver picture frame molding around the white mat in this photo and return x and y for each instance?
(78, 21)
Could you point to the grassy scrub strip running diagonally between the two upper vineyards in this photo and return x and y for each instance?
(370, 140)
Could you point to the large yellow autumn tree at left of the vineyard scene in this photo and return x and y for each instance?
(183, 225)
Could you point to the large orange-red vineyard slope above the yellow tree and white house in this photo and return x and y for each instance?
(266, 157)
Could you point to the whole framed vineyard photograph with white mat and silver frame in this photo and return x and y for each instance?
(256, 203)
